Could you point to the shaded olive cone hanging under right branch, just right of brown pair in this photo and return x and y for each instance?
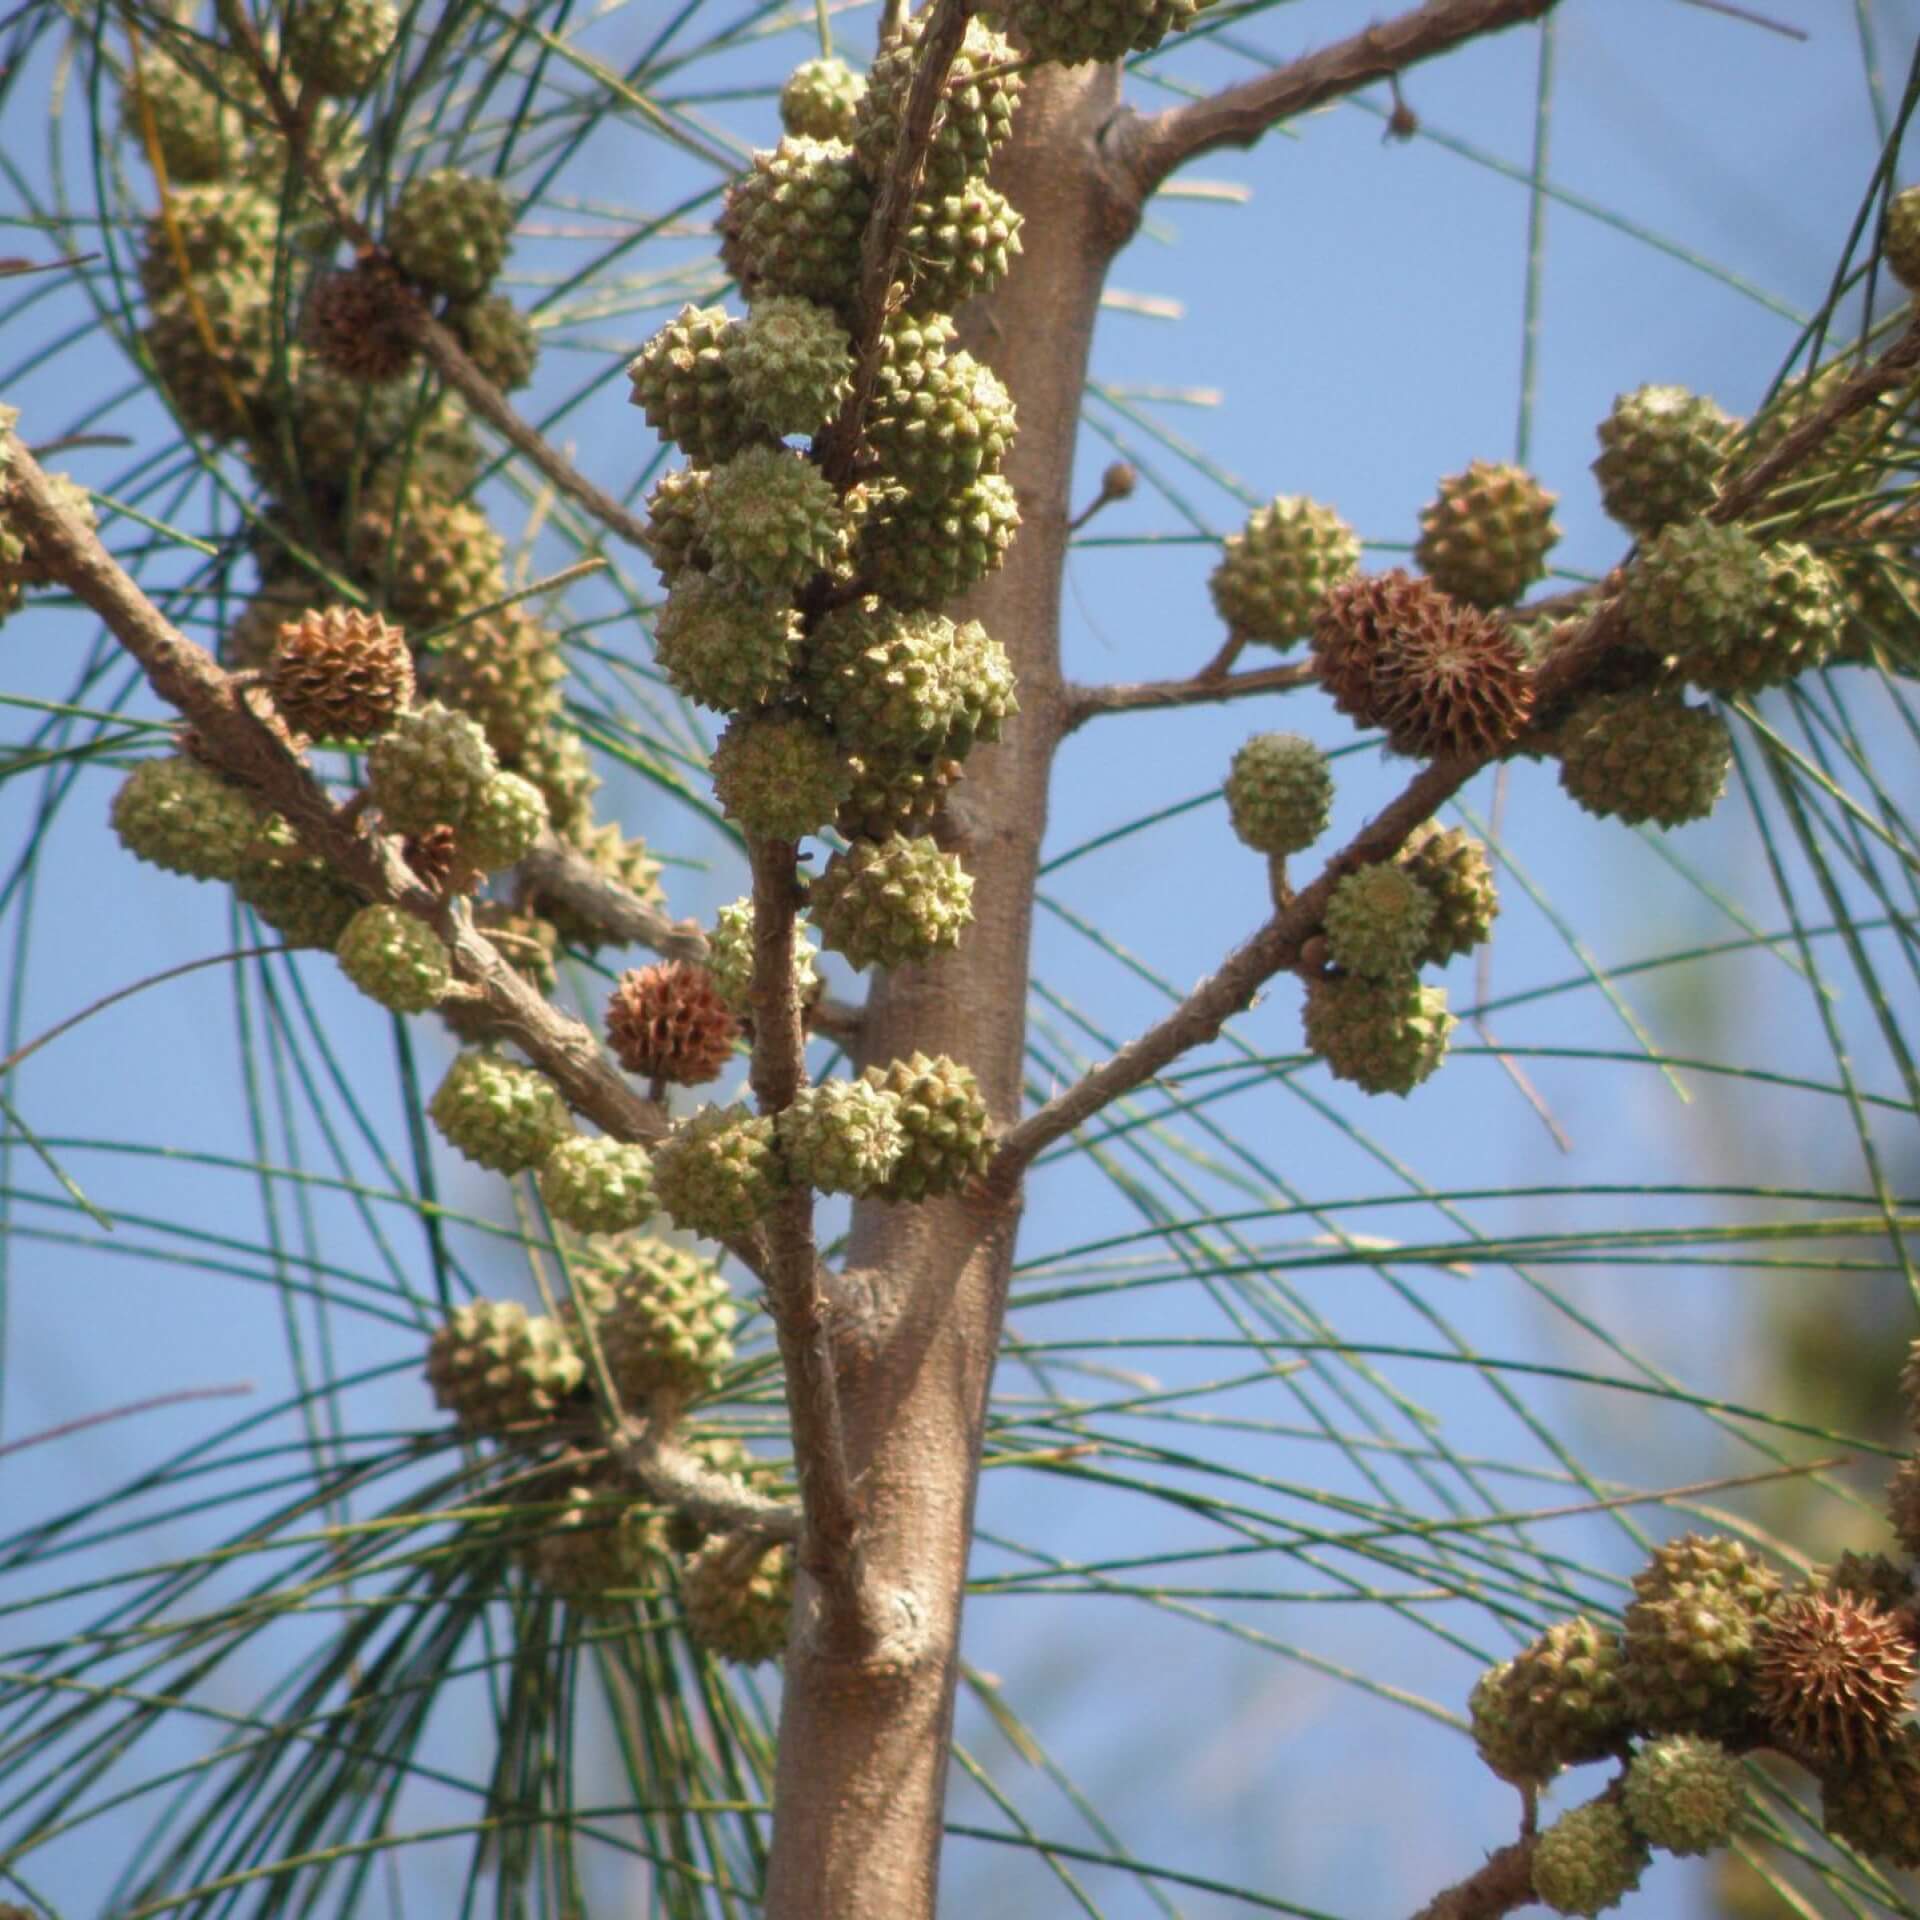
(1644, 757)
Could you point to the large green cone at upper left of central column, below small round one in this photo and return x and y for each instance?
(794, 224)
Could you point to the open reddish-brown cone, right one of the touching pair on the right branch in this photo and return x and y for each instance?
(1451, 683)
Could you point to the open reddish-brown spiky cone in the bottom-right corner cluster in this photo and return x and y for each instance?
(1833, 1677)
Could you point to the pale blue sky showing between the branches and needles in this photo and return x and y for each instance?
(1349, 324)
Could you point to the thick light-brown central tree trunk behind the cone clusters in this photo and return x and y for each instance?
(865, 1731)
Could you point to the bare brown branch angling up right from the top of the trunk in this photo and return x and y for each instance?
(1147, 149)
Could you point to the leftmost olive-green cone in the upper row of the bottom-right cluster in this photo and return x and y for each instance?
(1556, 1704)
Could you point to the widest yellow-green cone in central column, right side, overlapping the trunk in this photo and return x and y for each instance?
(907, 684)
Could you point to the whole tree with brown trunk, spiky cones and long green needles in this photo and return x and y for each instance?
(604, 1500)
